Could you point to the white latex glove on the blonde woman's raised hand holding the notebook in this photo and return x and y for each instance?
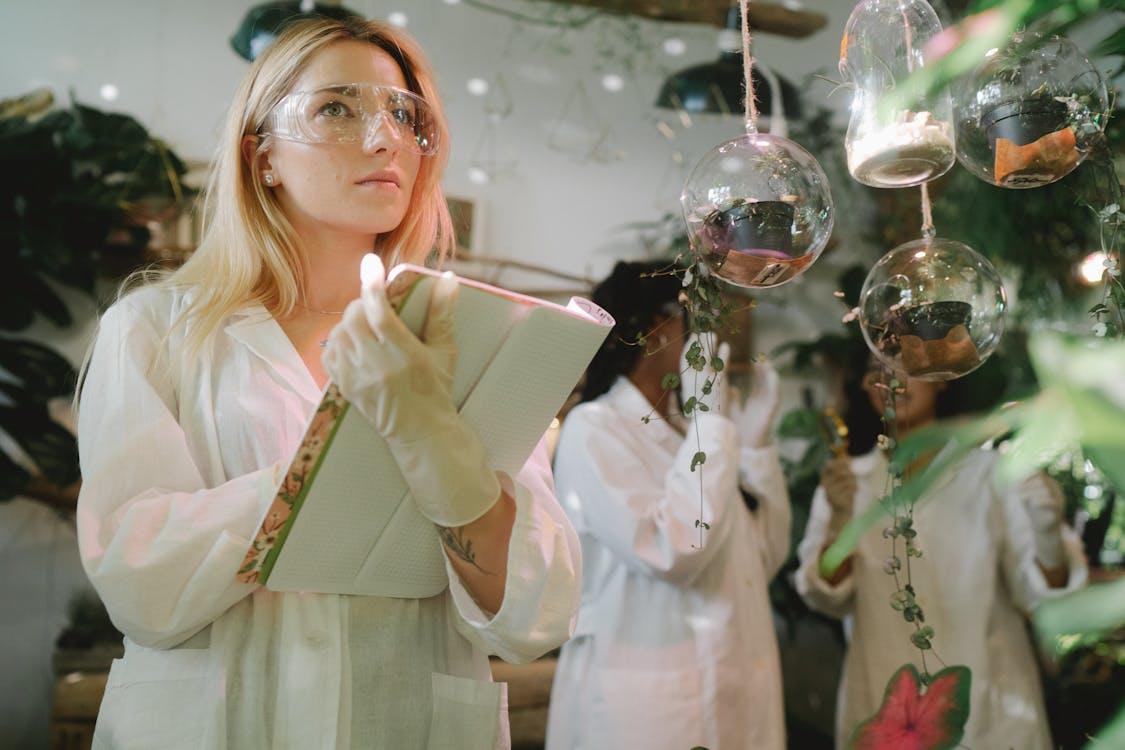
(401, 384)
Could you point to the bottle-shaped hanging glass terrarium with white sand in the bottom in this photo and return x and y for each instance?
(904, 146)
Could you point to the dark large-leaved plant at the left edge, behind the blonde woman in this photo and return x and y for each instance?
(78, 184)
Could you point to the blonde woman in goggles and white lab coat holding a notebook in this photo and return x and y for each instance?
(201, 386)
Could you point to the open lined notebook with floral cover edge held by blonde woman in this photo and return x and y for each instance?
(343, 521)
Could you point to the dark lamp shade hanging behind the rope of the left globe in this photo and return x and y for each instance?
(719, 88)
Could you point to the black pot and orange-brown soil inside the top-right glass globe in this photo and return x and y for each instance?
(1032, 143)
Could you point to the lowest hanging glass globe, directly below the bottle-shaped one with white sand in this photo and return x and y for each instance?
(933, 310)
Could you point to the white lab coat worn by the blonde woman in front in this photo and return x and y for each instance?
(179, 468)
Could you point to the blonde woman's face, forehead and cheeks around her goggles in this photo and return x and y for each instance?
(362, 187)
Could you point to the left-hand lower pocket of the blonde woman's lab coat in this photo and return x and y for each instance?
(156, 700)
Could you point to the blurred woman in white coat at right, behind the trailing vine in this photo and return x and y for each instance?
(989, 556)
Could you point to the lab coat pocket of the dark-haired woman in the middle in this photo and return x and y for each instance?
(645, 709)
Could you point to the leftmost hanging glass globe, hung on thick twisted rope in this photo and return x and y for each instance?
(759, 211)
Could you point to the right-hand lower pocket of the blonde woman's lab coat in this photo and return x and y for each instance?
(469, 715)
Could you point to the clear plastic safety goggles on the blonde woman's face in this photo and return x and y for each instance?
(356, 113)
